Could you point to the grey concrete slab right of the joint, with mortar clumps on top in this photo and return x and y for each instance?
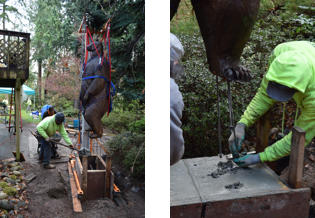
(256, 179)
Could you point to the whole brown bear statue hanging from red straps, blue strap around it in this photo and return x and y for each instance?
(94, 94)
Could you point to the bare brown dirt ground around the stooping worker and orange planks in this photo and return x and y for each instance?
(49, 194)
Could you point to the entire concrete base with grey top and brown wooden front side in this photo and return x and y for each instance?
(262, 192)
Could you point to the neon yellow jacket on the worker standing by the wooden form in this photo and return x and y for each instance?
(48, 127)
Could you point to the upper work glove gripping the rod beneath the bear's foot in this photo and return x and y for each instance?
(236, 145)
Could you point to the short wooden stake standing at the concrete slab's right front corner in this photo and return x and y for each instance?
(296, 157)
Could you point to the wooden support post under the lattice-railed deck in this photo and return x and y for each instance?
(17, 116)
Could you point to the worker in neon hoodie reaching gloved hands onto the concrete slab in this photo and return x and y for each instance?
(291, 73)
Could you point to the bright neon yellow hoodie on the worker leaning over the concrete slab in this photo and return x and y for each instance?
(291, 64)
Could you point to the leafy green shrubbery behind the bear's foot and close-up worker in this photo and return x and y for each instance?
(277, 22)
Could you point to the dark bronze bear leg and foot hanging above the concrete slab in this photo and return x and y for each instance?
(225, 26)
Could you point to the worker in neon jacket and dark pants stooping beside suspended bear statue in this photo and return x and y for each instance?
(47, 129)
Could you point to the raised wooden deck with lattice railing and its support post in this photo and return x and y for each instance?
(14, 69)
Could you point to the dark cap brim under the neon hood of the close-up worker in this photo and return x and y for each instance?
(279, 92)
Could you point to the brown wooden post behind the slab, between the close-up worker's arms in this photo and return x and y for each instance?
(262, 132)
